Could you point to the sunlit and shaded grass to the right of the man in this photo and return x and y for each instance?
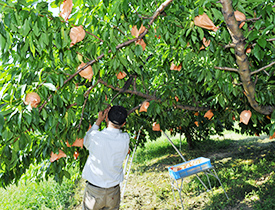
(244, 165)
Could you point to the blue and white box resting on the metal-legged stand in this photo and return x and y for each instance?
(190, 167)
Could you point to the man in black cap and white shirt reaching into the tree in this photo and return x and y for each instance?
(104, 167)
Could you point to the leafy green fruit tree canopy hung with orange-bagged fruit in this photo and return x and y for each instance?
(169, 63)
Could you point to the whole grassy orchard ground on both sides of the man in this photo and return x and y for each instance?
(245, 166)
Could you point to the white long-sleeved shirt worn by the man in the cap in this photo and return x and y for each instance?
(107, 151)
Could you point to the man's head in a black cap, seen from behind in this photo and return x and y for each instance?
(117, 115)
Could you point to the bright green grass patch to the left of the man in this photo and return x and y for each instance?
(45, 195)
